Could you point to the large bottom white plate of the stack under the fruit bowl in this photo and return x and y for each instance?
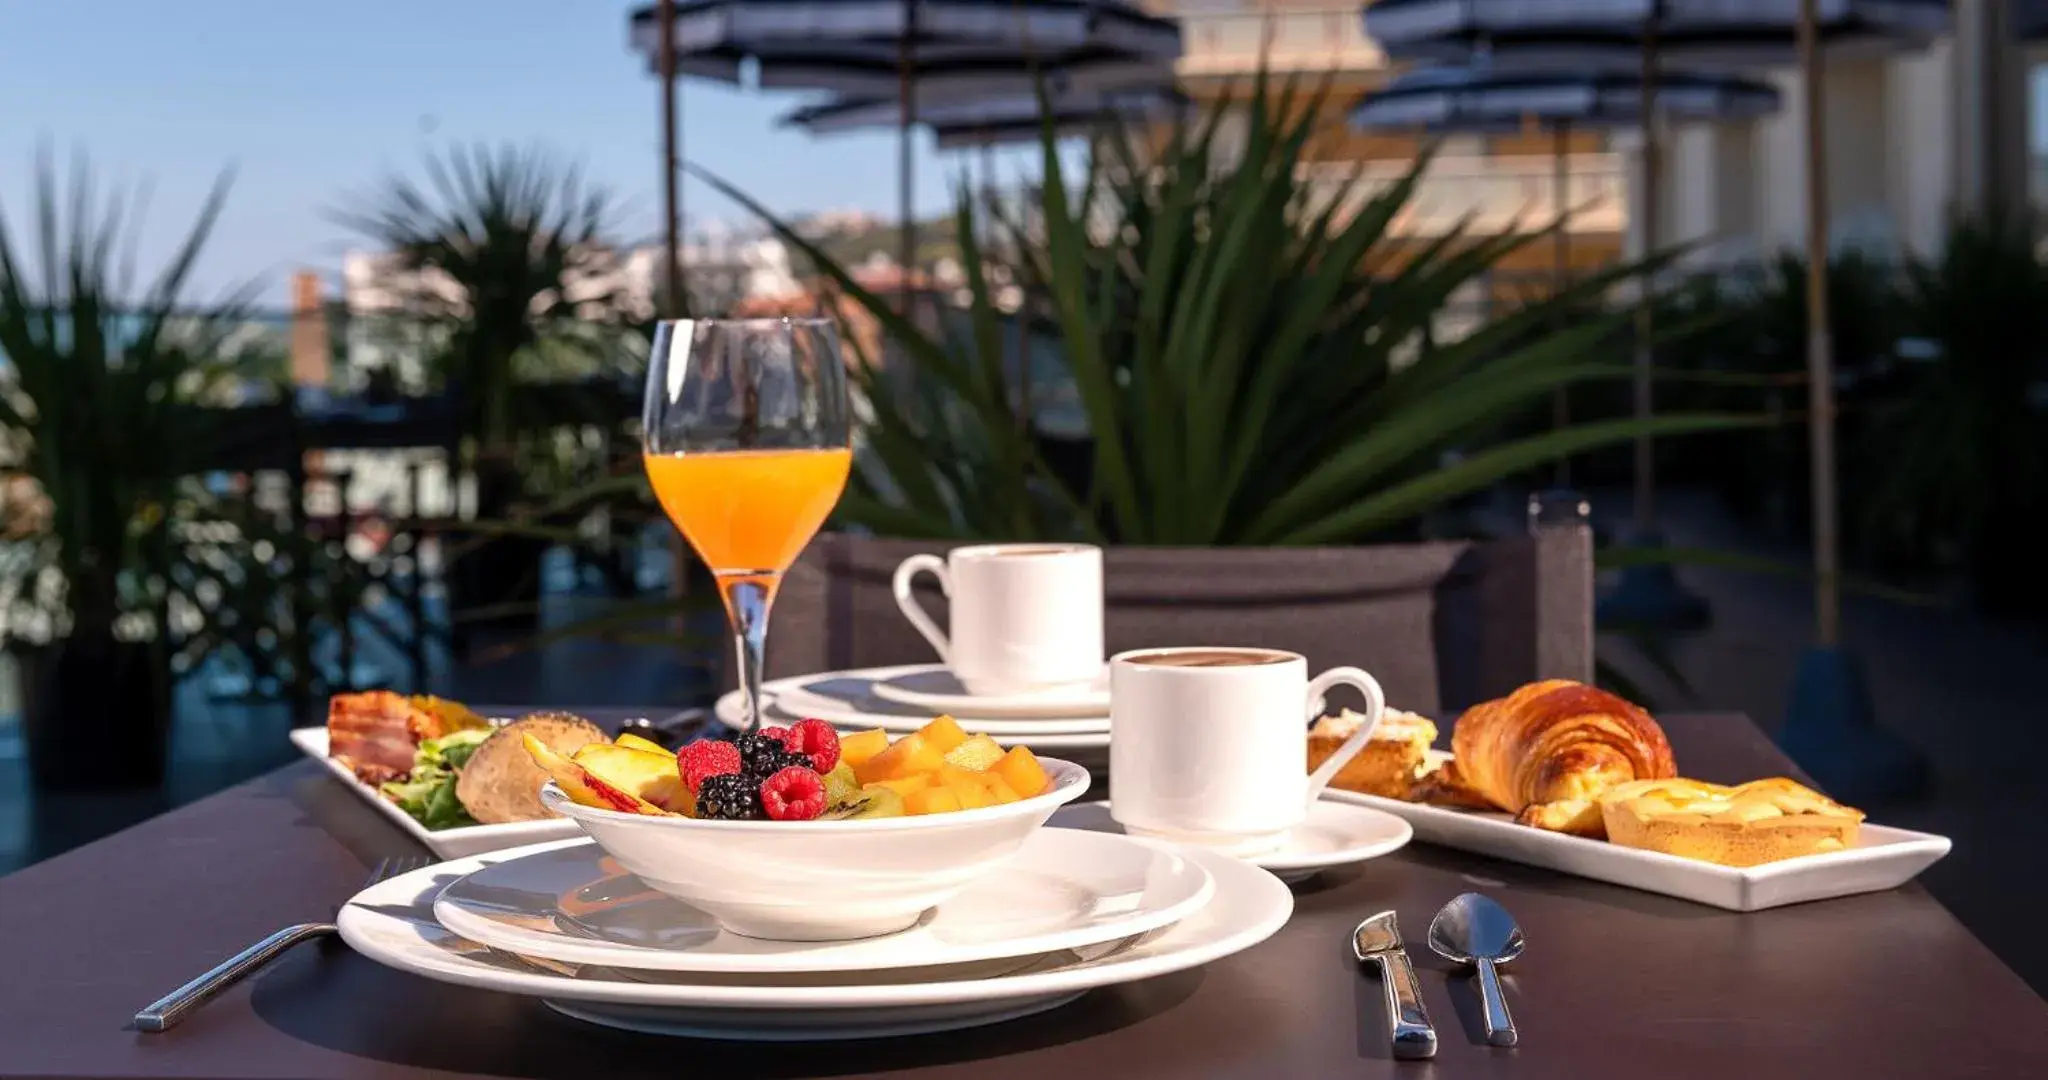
(392, 925)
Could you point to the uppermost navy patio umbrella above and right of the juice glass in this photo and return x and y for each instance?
(949, 50)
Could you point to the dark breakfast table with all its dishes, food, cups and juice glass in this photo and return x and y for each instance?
(1023, 858)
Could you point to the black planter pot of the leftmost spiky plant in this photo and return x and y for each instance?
(95, 714)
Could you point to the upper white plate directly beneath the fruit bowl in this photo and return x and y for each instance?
(1064, 890)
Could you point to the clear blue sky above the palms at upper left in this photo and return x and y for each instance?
(314, 101)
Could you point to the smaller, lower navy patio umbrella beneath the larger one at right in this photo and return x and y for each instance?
(1484, 99)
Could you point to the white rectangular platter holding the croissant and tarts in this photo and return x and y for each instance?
(1883, 860)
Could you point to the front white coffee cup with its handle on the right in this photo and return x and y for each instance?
(1211, 745)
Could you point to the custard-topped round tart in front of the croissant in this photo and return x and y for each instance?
(1736, 827)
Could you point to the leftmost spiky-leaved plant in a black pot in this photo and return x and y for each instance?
(101, 435)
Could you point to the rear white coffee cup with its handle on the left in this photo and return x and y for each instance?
(1025, 616)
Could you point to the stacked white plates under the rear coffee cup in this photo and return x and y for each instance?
(904, 700)
